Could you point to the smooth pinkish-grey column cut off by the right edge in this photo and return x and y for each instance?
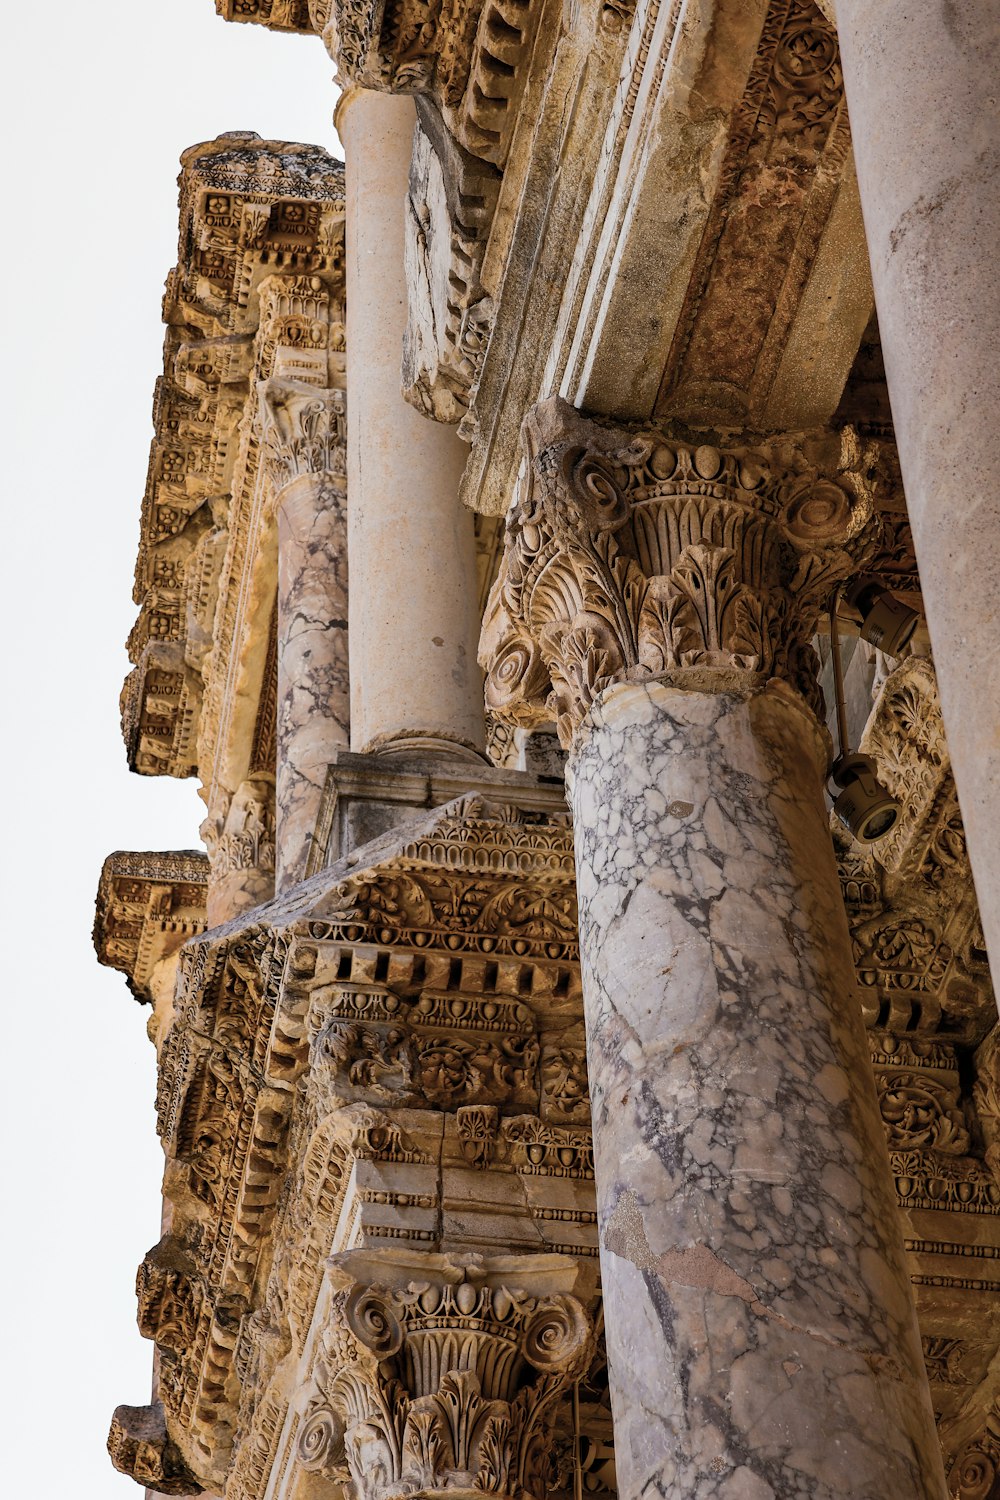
(924, 94)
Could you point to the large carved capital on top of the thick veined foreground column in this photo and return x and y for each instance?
(642, 554)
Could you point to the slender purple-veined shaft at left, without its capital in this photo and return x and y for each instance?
(314, 698)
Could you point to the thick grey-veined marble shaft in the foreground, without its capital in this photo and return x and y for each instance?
(761, 1328)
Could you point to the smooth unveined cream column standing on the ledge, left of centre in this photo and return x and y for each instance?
(415, 625)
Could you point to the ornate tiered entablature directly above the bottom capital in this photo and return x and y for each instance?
(355, 1069)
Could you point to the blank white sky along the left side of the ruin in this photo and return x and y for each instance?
(100, 103)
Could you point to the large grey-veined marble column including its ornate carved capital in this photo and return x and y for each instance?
(761, 1330)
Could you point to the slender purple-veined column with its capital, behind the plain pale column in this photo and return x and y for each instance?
(305, 439)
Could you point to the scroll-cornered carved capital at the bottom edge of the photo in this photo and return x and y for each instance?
(445, 1373)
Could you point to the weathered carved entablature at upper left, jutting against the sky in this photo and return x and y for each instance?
(257, 293)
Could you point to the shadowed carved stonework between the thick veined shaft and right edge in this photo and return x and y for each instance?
(926, 989)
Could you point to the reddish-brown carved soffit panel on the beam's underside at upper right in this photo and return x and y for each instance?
(779, 184)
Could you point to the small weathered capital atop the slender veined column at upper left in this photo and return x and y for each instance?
(304, 431)
